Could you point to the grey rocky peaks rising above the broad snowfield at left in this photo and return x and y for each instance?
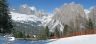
(25, 9)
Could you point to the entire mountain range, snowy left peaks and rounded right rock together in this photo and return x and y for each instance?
(31, 19)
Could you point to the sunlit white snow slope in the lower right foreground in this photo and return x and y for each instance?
(84, 39)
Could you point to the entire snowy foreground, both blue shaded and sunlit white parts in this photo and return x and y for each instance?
(83, 39)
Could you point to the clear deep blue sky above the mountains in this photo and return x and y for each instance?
(50, 5)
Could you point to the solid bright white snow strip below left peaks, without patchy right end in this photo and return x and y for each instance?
(24, 17)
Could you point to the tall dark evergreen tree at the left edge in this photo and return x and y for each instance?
(5, 19)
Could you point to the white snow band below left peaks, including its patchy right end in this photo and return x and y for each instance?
(18, 17)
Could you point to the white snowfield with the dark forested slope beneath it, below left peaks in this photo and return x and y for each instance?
(29, 23)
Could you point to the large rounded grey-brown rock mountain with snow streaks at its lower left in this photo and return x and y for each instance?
(70, 14)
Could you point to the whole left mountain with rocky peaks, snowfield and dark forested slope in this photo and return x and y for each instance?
(28, 19)
